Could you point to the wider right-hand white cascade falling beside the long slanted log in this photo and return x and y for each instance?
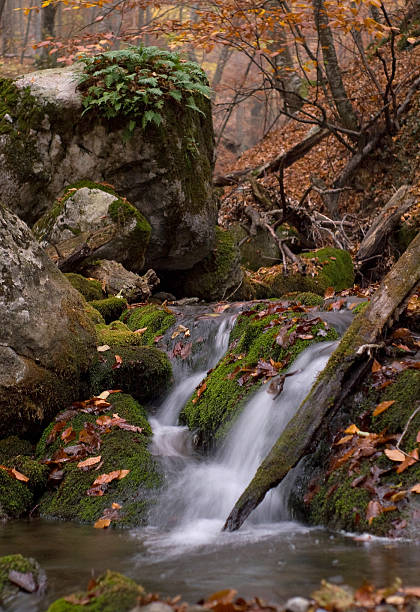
(202, 492)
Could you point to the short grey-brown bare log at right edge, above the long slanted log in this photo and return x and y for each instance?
(385, 223)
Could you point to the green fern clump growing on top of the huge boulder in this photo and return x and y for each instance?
(137, 82)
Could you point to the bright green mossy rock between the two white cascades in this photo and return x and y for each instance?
(210, 413)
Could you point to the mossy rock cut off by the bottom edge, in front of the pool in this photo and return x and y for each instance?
(111, 592)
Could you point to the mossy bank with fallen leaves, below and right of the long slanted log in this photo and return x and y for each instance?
(340, 505)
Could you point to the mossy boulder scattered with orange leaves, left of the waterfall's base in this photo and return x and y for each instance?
(95, 434)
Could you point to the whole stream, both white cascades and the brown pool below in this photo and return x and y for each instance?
(183, 550)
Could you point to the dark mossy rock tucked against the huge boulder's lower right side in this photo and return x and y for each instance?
(216, 276)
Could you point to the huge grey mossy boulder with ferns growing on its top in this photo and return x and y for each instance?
(48, 141)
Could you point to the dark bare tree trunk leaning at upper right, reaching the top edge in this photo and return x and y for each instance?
(342, 103)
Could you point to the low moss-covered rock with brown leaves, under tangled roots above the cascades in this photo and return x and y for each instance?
(327, 267)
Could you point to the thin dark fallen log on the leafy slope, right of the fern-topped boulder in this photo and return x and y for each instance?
(283, 159)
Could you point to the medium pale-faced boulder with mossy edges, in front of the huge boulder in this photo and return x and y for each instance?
(94, 215)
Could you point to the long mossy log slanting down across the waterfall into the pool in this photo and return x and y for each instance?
(344, 369)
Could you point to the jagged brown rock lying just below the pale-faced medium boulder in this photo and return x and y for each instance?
(117, 280)
